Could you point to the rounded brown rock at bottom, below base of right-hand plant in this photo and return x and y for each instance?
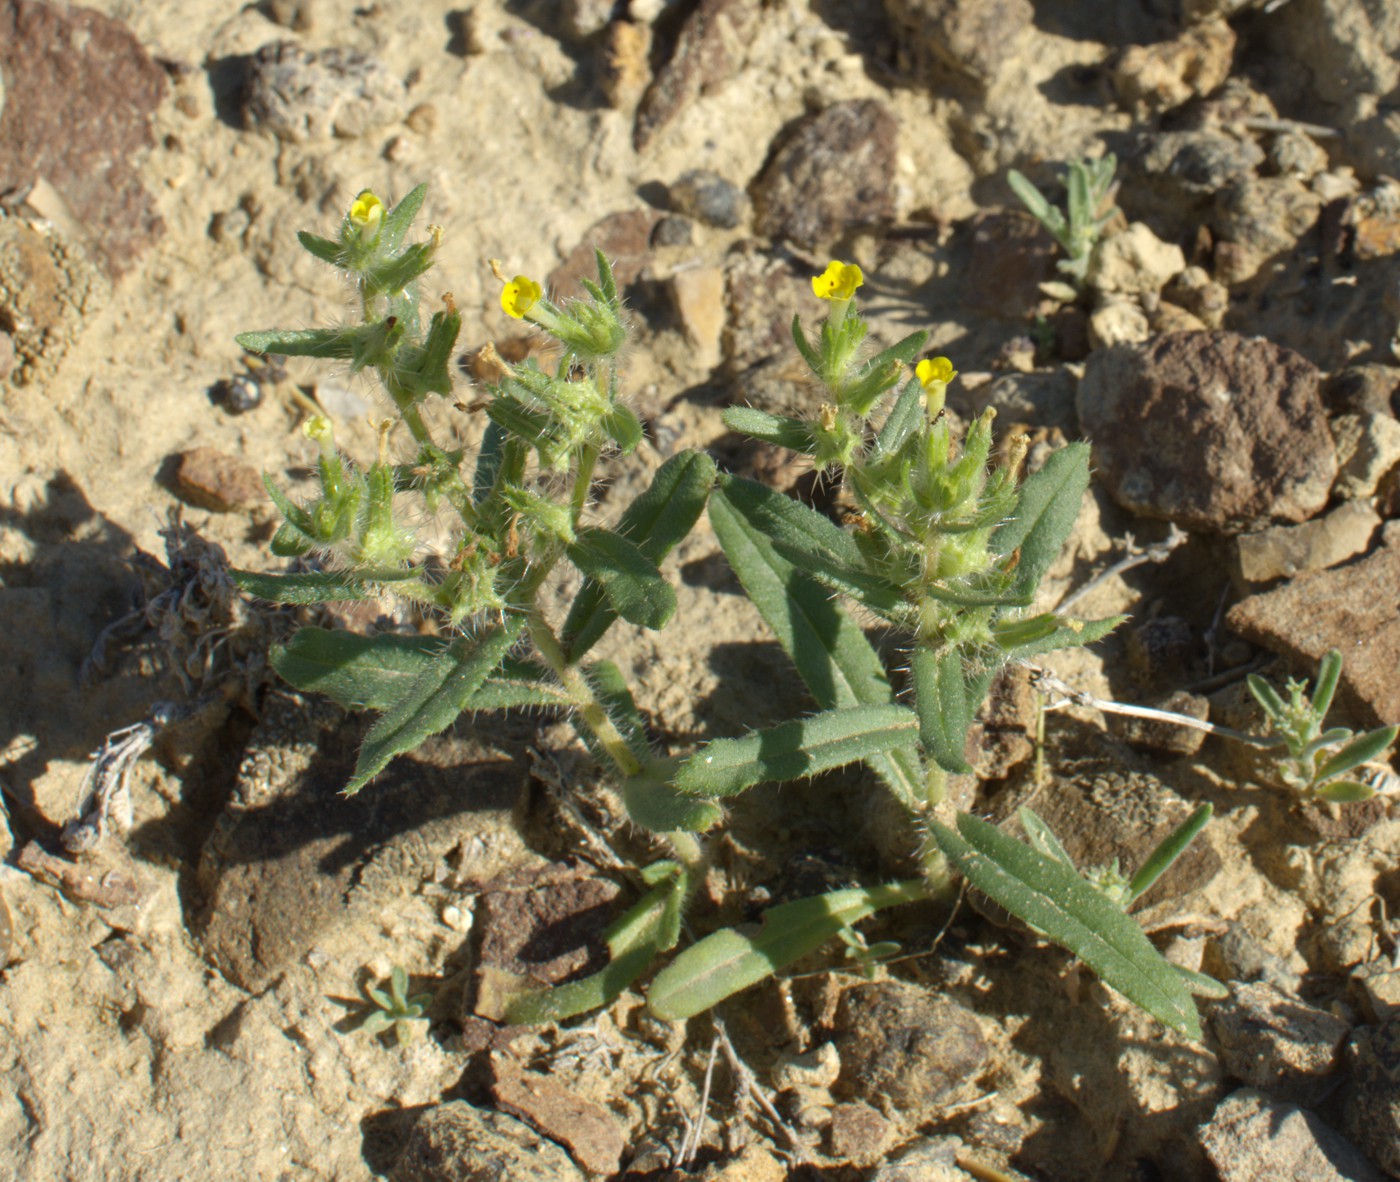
(908, 1047)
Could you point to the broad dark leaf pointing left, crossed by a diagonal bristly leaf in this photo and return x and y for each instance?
(373, 673)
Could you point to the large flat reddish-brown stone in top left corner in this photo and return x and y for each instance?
(79, 99)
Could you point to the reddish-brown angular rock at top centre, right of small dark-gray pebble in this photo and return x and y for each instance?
(834, 172)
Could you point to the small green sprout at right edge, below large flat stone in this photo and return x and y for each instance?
(1298, 723)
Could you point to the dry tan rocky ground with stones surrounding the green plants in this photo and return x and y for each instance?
(187, 1003)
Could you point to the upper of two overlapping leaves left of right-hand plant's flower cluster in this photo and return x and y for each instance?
(813, 543)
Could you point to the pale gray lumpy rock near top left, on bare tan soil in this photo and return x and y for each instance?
(303, 97)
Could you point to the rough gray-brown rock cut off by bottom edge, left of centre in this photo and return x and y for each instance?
(458, 1143)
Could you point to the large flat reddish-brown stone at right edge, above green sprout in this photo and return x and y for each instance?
(1353, 609)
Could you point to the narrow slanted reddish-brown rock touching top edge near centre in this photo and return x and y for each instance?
(709, 50)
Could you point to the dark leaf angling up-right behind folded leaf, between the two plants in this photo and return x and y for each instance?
(656, 523)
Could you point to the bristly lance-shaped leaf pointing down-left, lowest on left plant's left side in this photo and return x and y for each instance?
(437, 697)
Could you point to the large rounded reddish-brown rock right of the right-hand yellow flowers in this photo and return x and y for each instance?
(1212, 431)
